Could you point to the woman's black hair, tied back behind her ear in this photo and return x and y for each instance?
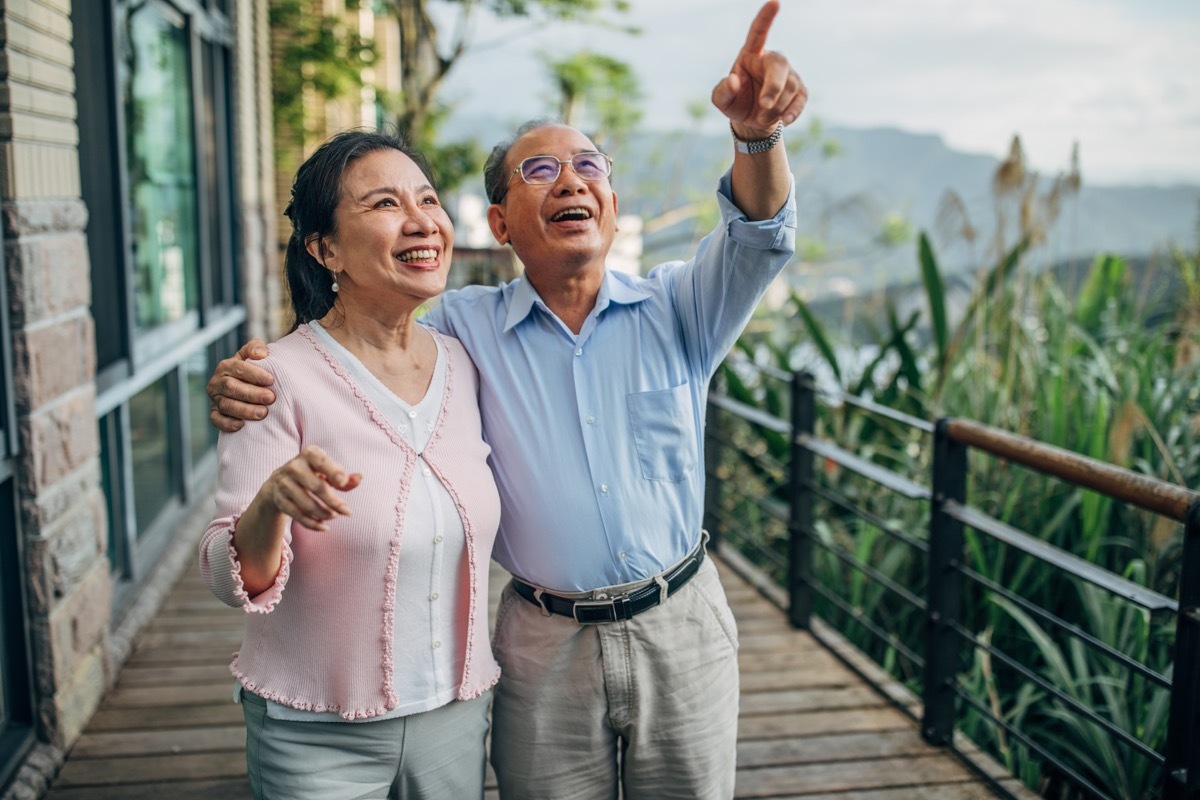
(316, 194)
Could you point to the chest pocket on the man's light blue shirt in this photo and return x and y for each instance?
(663, 423)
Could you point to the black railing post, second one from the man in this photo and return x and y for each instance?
(800, 546)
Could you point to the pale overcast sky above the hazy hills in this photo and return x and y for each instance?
(1121, 77)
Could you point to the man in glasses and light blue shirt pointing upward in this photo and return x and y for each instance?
(617, 647)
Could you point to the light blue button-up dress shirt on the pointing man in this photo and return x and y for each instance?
(597, 437)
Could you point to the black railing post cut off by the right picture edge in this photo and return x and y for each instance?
(1181, 774)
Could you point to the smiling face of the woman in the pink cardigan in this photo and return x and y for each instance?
(394, 239)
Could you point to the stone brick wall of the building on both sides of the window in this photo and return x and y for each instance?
(62, 507)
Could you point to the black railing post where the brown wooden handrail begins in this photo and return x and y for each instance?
(945, 590)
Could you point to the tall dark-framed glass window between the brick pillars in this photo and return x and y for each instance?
(157, 166)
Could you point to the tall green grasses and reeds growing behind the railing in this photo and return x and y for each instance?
(1087, 374)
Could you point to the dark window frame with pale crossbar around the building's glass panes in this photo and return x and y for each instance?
(137, 359)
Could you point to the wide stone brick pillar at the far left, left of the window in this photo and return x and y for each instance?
(62, 507)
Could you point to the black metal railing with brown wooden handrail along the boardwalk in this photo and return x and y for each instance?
(765, 492)
